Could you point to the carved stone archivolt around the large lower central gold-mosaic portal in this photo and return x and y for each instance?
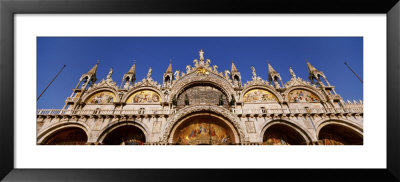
(197, 109)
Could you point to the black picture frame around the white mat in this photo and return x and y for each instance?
(9, 8)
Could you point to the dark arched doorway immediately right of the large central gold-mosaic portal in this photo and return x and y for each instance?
(281, 134)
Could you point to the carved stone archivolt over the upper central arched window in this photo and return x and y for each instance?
(211, 78)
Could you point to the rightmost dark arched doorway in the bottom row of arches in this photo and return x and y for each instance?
(335, 134)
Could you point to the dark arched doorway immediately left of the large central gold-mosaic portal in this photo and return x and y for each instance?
(125, 135)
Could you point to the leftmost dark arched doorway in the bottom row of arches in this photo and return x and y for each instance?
(68, 136)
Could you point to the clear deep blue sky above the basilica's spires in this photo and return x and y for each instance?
(327, 54)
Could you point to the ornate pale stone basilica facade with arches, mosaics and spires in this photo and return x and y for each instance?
(203, 106)
